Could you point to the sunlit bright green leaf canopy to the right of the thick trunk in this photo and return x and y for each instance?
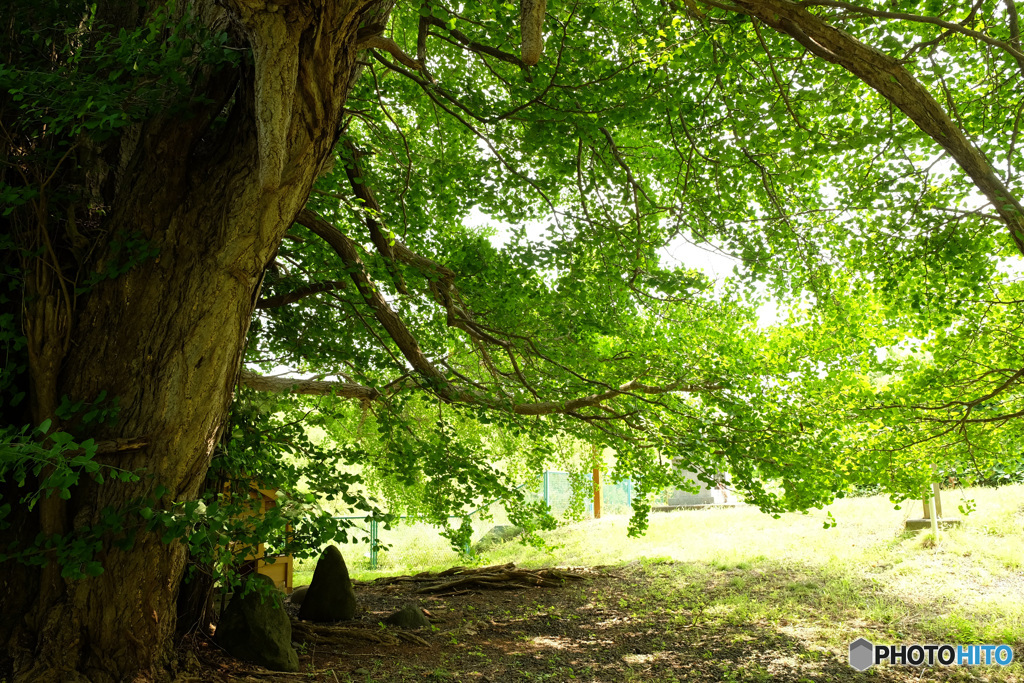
(626, 138)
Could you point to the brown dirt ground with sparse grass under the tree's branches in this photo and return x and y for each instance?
(616, 625)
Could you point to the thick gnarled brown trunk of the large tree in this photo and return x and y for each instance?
(167, 337)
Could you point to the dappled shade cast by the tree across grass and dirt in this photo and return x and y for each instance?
(650, 621)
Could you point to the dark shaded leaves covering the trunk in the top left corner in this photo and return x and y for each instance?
(77, 77)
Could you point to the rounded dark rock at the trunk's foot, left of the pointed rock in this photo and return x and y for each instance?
(258, 629)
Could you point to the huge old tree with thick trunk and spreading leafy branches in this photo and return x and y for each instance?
(172, 191)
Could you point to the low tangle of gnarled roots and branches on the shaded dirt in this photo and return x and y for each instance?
(499, 577)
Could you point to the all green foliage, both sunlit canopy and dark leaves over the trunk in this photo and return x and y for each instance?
(544, 206)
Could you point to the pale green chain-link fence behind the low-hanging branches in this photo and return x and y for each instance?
(412, 546)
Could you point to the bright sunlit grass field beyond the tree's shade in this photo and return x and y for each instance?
(864, 578)
